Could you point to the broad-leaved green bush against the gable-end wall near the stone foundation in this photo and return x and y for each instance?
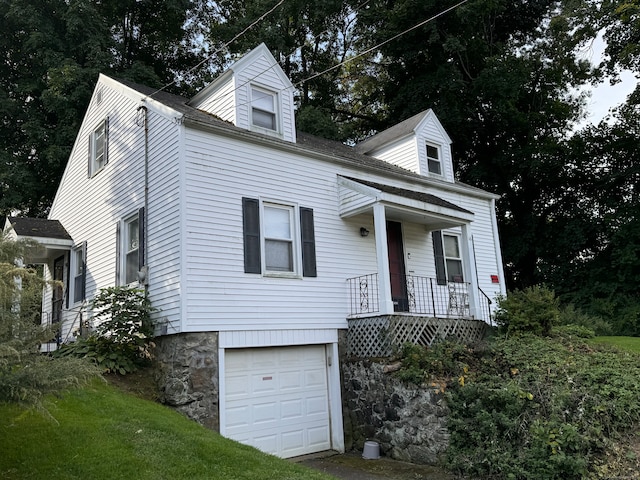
(122, 341)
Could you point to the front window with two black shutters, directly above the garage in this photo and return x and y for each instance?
(271, 242)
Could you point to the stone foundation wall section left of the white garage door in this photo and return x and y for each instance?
(187, 375)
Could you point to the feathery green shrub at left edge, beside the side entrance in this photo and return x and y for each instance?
(26, 375)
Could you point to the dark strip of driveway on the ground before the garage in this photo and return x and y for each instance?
(351, 466)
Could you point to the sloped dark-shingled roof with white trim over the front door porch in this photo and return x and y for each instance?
(358, 196)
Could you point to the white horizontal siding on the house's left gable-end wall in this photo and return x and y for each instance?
(91, 208)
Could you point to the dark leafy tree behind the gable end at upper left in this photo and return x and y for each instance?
(54, 51)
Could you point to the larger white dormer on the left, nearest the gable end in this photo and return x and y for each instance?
(254, 94)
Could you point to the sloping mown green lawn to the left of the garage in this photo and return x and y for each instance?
(99, 432)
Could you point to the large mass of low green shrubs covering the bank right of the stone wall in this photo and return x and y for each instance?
(540, 408)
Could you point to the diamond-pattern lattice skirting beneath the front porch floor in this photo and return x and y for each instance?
(375, 337)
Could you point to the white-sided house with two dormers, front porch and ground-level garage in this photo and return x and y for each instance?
(263, 245)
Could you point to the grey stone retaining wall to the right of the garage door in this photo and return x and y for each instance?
(409, 421)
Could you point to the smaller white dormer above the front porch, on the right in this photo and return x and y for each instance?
(419, 144)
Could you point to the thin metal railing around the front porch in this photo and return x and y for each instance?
(419, 295)
